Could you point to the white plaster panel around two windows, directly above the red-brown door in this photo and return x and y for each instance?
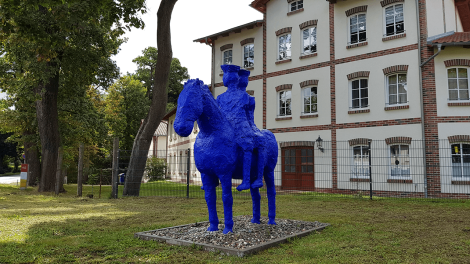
(323, 102)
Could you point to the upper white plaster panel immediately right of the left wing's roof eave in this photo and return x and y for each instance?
(277, 18)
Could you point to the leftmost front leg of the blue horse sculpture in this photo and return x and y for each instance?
(209, 184)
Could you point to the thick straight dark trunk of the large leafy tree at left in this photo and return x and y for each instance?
(48, 127)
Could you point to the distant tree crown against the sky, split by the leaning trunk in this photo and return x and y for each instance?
(146, 71)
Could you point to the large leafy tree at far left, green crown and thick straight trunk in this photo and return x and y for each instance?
(58, 43)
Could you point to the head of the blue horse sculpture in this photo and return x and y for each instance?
(190, 107)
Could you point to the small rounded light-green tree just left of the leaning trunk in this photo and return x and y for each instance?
(126, 105)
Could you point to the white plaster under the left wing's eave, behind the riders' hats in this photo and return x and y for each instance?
(237, 52)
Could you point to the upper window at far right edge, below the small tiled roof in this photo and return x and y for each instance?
(458, 83)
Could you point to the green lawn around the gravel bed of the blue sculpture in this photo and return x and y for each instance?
(43, 228)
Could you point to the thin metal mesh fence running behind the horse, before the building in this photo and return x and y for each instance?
(357, 168)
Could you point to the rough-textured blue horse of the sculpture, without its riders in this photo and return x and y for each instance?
(217, 155)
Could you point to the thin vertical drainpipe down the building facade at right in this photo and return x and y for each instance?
(423, 135)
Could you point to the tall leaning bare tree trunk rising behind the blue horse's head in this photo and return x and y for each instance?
(157, 109)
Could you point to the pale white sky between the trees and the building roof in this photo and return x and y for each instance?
(191, 19)
